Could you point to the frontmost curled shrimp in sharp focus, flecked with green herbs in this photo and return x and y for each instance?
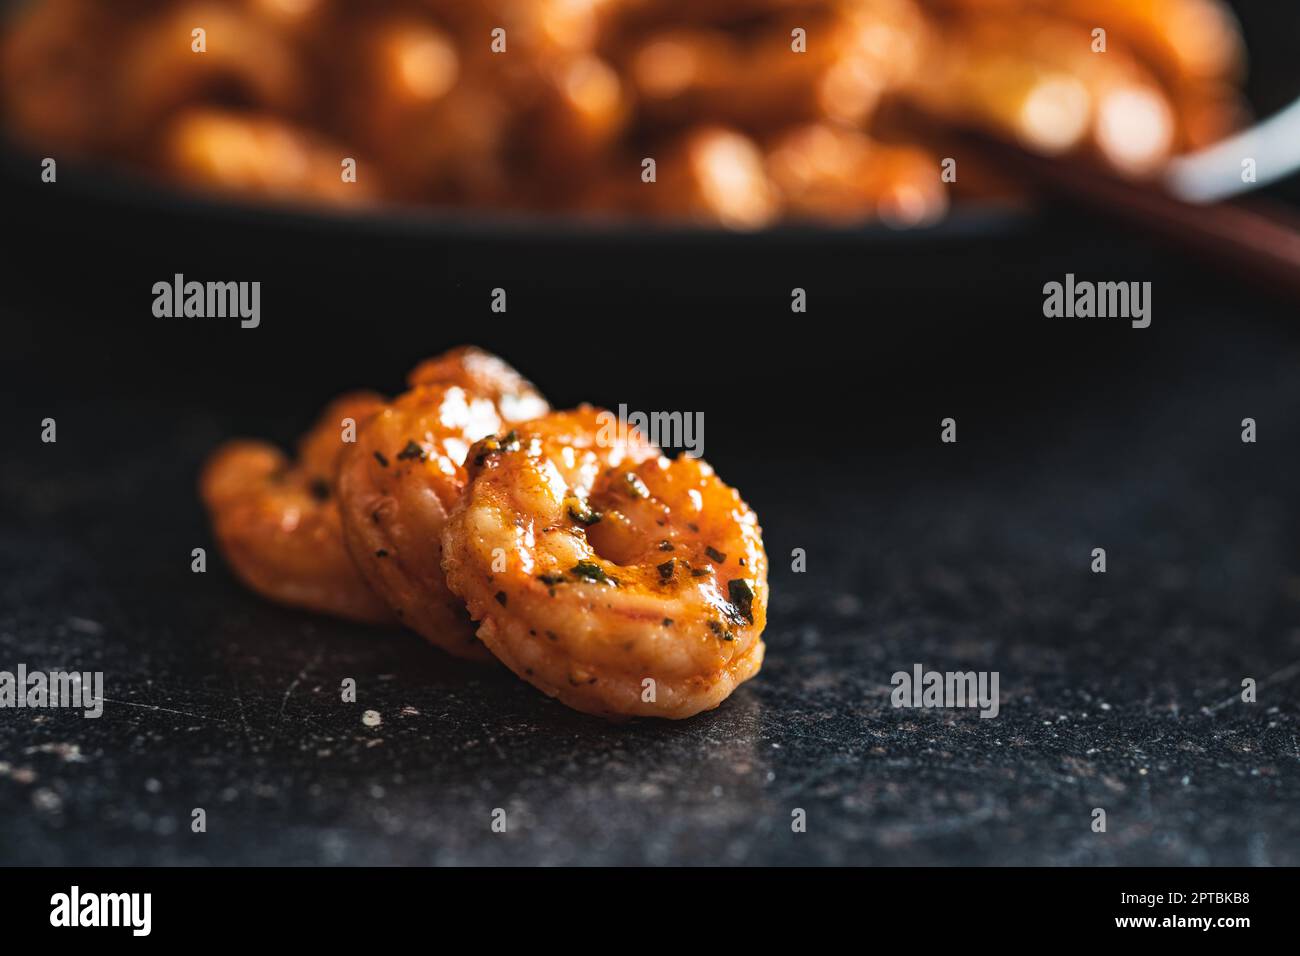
(606, 576)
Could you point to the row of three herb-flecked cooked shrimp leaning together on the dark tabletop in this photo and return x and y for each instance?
(560, 543)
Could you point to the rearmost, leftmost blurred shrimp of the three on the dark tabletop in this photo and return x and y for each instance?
(279, 524)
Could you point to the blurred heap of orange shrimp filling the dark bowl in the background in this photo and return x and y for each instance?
(752, 111)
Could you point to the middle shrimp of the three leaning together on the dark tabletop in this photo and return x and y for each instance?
(405, 474)
